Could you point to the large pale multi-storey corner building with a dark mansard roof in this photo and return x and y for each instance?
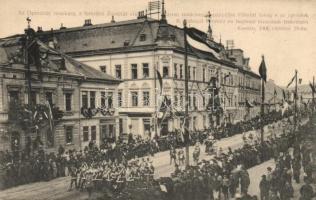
(133, 50)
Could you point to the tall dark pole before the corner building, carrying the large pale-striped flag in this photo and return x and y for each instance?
(186, 88)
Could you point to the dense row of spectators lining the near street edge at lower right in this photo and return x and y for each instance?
(225, 176)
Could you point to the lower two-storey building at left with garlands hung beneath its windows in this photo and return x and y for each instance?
(61, 86)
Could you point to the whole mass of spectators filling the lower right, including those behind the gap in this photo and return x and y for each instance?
(226, 177)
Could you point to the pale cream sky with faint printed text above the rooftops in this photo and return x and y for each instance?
(284, 31)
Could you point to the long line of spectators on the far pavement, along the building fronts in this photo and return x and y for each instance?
(26, 166)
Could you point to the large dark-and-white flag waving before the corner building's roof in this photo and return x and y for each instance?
(197, 40)
